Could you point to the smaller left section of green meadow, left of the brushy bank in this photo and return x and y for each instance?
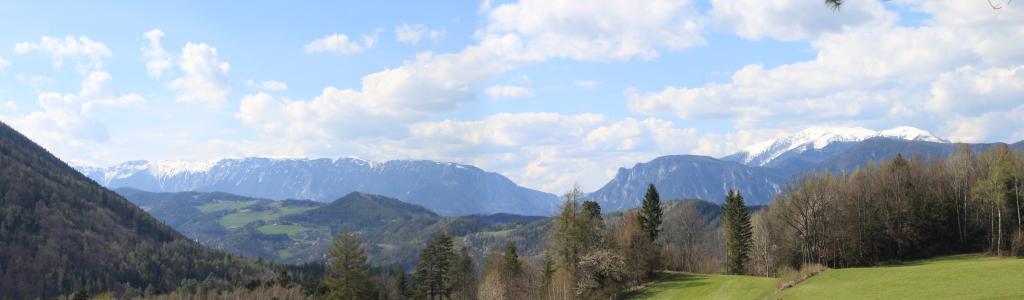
(691, 286)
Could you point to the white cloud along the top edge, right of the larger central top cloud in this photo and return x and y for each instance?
(794, 20)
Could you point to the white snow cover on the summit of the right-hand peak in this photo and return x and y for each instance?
(819, 138)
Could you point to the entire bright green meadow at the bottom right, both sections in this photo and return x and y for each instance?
(964, 277)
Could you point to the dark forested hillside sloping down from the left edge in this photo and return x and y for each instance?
(61, 232)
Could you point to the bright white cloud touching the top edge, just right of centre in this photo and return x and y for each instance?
(609, 30)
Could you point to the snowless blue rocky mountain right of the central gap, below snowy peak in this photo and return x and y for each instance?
(688, 178)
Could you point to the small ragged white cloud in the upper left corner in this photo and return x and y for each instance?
(69, 49)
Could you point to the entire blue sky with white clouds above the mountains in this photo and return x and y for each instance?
(546, 93)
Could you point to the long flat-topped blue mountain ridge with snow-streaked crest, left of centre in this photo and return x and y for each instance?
(448, 189)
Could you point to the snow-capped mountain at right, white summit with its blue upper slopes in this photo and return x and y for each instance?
(816, 144)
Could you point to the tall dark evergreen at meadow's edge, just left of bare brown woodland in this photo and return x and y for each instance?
(740, 232)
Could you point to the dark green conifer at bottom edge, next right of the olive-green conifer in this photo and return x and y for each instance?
(435, 271)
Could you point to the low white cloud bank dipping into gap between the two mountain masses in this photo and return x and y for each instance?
(548, 151)
